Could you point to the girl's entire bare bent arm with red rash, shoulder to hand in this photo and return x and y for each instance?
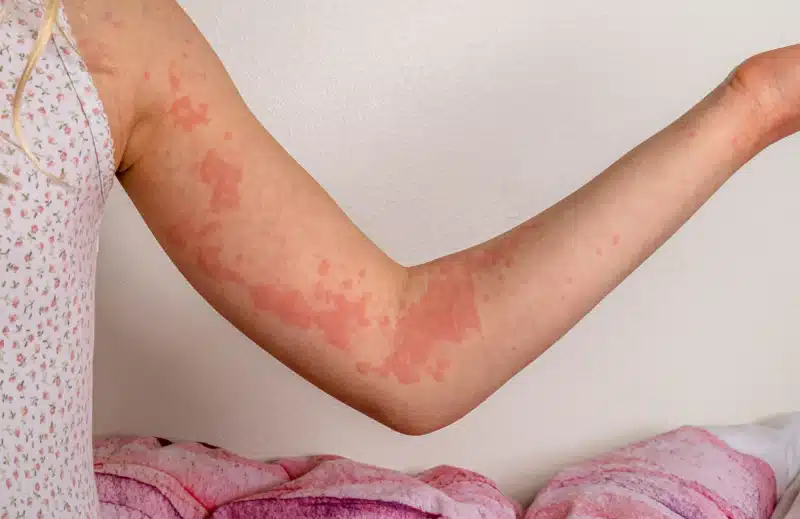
(417, 347)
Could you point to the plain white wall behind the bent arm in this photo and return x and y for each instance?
(437, 125)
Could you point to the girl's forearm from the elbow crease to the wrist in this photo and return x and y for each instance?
(489, 311)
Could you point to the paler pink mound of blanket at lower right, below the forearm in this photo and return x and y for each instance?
(688, 473)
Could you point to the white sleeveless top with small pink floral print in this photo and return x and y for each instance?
(48, 252)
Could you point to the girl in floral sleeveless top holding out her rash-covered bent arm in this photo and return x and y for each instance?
(129, 88)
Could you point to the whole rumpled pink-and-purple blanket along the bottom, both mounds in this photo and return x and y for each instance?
(689, 473)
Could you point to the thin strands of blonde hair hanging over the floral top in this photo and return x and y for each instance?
(49, 26)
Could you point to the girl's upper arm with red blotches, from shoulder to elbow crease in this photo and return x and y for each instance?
(246, 225)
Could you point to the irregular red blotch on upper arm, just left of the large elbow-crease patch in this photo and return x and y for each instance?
(338, 321)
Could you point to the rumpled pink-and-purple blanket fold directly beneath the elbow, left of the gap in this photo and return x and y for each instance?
(150, 478)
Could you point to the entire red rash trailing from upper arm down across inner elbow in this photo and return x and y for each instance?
(417, 340)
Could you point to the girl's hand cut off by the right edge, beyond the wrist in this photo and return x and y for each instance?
(770, 82)
